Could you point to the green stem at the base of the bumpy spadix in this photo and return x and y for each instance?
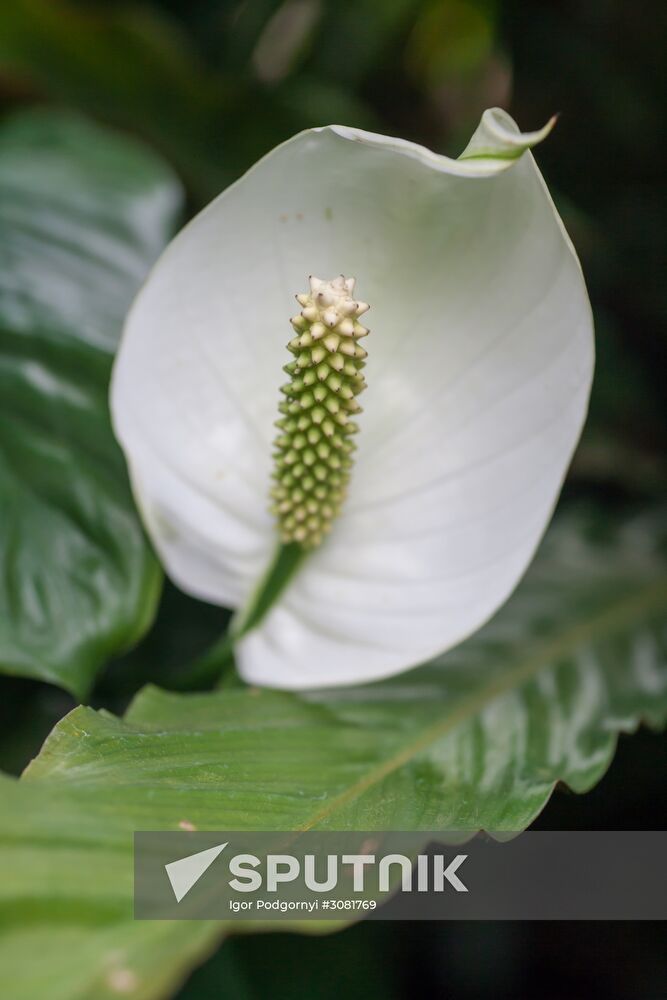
(207, 670)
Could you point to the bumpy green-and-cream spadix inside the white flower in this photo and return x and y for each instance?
(314, 448)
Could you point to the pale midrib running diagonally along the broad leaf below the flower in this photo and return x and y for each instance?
(617, 617)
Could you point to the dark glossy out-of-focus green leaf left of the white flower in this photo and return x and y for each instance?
(83, 213)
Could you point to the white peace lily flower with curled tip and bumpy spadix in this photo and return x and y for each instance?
(479, 368)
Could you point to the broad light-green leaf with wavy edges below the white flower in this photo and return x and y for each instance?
(478, 738)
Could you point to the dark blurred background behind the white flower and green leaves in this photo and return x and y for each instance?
(213, 85)
